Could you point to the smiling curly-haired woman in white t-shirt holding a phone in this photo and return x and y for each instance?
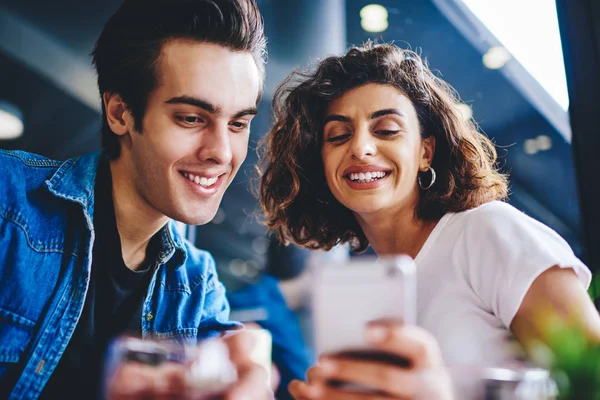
(370, 149)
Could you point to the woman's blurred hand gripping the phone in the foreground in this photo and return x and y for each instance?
(425, 377)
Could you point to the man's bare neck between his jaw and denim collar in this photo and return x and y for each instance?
(136, 220)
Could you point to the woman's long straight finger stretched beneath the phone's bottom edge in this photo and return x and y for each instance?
(393, 380)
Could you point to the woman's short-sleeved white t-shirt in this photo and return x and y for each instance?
(473, 273)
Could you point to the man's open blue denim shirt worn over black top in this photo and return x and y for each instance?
(46, 240)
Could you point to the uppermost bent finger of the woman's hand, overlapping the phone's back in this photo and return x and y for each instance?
(415, 344)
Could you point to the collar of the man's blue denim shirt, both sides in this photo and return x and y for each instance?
(74, 181)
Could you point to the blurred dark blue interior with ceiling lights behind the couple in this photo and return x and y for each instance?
(504, 57)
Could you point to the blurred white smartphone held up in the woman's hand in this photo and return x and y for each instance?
(347, 295)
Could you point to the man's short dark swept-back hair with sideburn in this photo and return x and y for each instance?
(127, 53)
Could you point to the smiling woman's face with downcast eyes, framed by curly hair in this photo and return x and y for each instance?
(373, 150)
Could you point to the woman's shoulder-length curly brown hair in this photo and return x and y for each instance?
(294, 195)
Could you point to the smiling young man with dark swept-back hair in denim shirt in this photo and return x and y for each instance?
(88, 250)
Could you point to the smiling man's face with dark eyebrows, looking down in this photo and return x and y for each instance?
(195, 130)
